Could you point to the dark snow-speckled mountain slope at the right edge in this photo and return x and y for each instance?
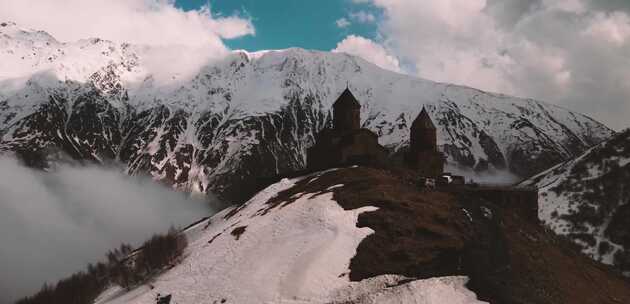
(588, 200)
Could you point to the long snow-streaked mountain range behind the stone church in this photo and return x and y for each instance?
(218, 125)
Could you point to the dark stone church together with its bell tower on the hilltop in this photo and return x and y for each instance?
(346, 143)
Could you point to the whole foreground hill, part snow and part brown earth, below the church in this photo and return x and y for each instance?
(360, 235)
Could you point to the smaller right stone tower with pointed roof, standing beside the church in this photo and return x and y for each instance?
(423, 155)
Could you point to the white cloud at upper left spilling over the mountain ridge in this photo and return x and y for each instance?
(173, 44)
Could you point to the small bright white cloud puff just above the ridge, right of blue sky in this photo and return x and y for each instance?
(368, 50)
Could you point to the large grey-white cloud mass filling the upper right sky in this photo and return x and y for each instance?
(574, 53)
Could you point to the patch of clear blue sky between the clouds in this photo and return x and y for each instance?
(282, 24)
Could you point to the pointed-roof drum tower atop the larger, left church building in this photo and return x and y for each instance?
(346, 112)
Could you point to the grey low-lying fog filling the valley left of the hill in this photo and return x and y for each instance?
(53, 223)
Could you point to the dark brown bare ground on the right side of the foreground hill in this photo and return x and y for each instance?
(422, 234)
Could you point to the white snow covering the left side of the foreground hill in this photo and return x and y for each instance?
(288, 253)
